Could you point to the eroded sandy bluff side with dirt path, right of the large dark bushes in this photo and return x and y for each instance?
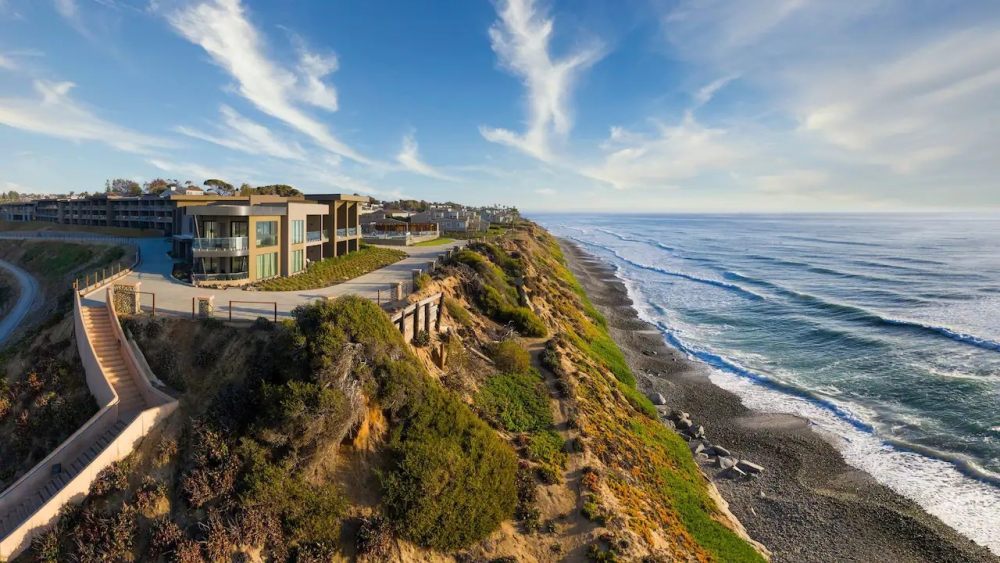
(624, 486)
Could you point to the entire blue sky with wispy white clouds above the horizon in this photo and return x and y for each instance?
(577, 105)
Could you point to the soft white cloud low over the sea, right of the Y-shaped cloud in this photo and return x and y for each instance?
(678, 152)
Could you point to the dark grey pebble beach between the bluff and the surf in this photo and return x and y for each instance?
(808, 504)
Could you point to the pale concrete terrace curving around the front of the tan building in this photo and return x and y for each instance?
(173, 297)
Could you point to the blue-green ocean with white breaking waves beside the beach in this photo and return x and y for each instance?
(883, 330)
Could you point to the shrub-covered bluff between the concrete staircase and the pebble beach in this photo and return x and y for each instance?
(518, 435)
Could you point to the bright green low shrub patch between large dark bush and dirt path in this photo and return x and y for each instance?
(518, 402)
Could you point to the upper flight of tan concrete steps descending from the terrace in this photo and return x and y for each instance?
(109, 355)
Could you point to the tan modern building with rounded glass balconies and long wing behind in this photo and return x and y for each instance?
(225, 239)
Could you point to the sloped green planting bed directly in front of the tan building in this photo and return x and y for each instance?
(330, 271)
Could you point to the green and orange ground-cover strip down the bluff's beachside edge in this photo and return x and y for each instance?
(651, 476)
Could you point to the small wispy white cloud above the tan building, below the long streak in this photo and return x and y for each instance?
(239, 133)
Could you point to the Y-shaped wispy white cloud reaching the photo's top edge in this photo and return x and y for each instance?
(521, 40)
